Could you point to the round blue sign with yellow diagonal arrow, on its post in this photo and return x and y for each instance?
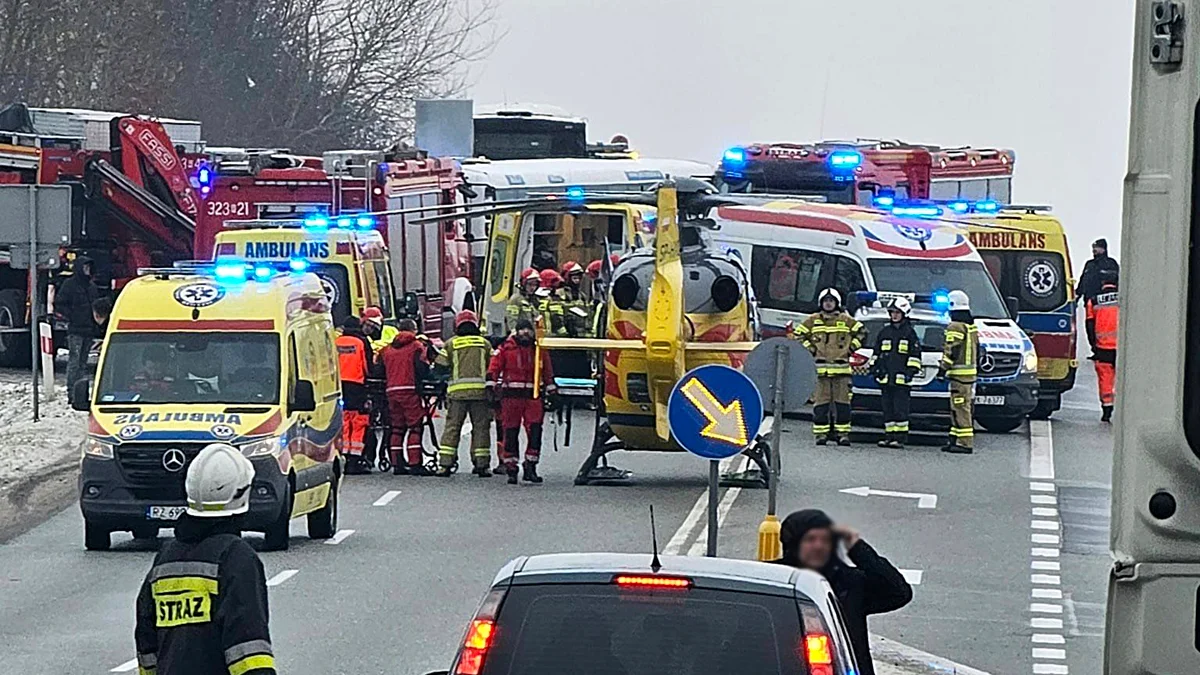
(715, 413)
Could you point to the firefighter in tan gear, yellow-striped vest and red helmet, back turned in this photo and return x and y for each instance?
(467, 356)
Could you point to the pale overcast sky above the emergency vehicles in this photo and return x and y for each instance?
(688, 79)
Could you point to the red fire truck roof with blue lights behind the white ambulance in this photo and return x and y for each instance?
(856, 172)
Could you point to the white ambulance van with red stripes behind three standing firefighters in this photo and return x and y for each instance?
(795, 249)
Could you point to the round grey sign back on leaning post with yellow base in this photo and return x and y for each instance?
(787, 375)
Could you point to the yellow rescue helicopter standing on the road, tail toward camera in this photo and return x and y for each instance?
(673, 303)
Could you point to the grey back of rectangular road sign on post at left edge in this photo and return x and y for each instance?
(35, 220)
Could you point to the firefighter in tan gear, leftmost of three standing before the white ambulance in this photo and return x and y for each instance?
(832, 336)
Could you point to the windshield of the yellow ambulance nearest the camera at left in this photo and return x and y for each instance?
(190, 368)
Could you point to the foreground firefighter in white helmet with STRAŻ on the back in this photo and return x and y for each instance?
(203, 605)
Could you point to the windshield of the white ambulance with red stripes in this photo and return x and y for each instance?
(911, 276)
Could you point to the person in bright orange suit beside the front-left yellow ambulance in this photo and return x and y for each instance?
(355, 361)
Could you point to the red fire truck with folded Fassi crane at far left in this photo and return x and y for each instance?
(133, 202)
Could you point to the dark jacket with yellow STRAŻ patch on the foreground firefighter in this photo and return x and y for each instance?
(202, 610)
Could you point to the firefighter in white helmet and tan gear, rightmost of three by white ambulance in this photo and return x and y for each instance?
(959, 357)
